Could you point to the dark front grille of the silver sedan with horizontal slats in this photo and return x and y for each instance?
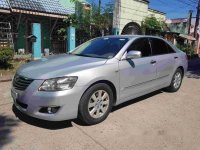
(21, 83)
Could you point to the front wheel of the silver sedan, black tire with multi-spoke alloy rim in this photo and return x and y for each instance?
(94, 108)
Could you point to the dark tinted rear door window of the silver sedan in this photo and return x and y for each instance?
(159, 47)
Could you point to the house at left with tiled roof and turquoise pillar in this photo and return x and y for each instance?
(21, 19)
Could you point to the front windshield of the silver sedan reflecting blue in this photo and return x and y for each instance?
(101, 47)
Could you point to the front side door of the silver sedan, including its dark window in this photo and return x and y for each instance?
(137, 75)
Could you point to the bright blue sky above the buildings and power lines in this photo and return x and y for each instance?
(172, 8)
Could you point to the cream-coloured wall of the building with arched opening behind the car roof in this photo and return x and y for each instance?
(132, 11)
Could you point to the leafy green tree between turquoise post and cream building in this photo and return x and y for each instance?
(89, 24)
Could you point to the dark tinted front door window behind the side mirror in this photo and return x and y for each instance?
(142, 45)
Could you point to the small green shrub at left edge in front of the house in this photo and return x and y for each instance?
(6, 54)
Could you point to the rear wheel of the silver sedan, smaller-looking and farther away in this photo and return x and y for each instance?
(174, 87)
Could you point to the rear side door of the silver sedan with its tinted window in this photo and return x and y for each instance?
(165, 59)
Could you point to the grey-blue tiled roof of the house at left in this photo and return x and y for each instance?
(36, 6)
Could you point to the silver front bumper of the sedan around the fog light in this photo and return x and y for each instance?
(68, 102)
